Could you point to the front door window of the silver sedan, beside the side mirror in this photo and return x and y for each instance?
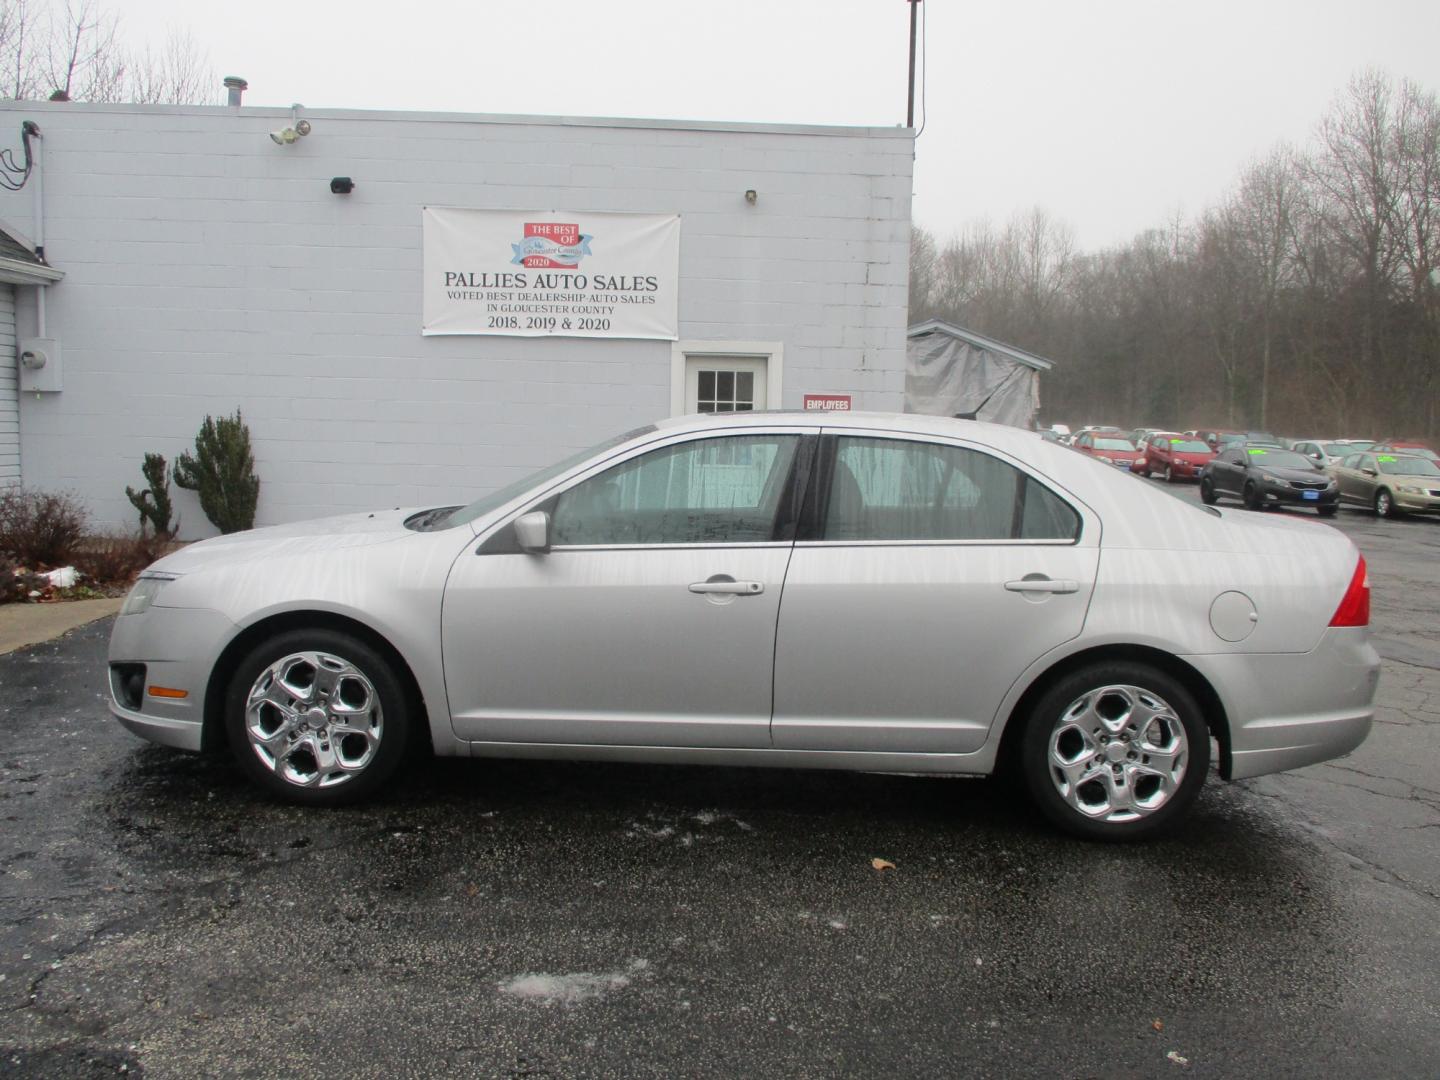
(709, 492)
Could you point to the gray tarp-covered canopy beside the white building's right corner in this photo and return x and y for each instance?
(953, 372)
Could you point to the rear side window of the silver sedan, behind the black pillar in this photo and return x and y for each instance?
(898, 490)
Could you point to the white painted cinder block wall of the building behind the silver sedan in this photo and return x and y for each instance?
(210, 269)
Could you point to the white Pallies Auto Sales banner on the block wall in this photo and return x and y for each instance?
(552, 274)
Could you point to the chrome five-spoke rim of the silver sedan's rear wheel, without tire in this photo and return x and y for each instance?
(1118, 754)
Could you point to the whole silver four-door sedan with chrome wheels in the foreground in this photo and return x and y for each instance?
(873, 593)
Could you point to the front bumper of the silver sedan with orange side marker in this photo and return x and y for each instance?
(178, 649)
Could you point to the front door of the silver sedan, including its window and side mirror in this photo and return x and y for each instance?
(652, 618)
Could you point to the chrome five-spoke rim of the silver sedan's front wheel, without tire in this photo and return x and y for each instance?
(315, 719)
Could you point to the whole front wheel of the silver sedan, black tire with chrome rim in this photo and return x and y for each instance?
(322, 765)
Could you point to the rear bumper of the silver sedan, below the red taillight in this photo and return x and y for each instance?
(1294, 709)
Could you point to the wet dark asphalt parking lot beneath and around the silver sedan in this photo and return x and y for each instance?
(159, 918)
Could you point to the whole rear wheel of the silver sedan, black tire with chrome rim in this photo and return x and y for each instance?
(1101, 702)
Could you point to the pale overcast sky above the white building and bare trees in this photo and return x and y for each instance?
(1111, 114)
